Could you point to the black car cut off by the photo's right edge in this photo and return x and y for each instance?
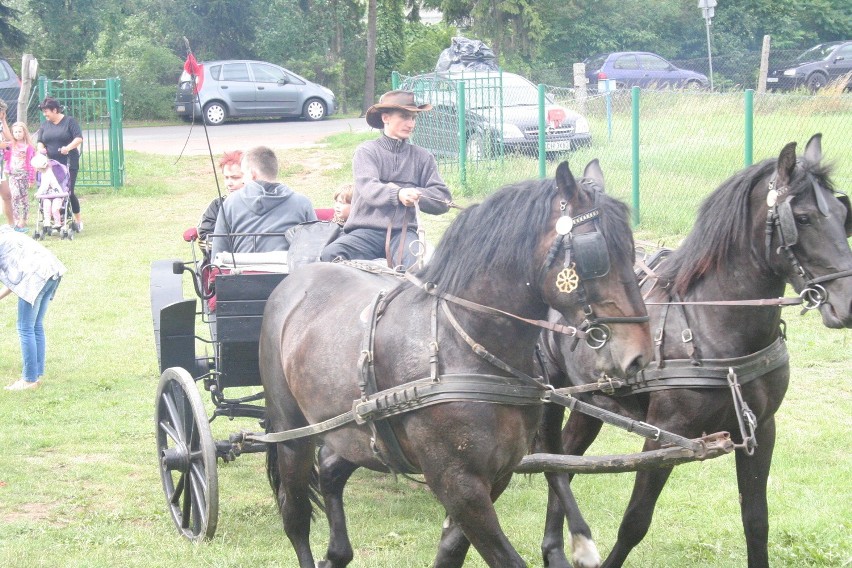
(815, 68)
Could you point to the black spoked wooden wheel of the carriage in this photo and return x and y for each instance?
(187, 456)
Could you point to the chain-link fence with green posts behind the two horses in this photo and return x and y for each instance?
(664, 151)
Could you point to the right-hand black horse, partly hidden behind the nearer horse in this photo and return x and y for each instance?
(775, 222)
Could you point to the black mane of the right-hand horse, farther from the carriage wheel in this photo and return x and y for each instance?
(723, 228)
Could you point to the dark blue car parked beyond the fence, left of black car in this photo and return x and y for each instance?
(640, 69)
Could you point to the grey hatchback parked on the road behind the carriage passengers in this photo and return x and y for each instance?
(251, 89)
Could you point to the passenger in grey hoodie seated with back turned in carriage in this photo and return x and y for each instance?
(262, 206)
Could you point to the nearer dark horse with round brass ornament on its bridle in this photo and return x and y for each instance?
(512, 253)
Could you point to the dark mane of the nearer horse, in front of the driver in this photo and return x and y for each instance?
(502, 233)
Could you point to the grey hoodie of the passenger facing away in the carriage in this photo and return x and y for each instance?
(260, 207)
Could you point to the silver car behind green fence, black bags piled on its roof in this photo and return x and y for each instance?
(501, 116)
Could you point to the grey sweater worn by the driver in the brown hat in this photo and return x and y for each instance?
(381, 168)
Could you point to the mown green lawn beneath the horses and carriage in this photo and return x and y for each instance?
(79, 481)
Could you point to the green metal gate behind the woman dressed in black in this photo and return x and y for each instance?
(97, 106)
